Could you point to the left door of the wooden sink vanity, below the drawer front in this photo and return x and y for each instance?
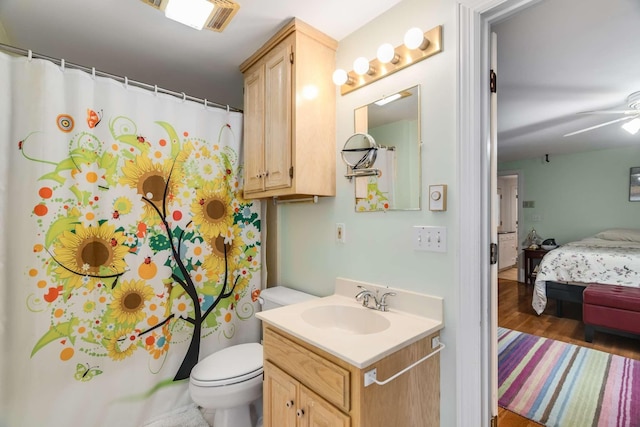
(280, 393)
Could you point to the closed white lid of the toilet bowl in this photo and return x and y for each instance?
(230, 365)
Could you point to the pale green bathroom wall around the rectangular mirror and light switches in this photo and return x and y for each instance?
(379, 247)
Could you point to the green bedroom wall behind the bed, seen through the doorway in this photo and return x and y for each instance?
(578, 195)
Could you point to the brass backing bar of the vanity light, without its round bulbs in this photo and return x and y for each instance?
(405, 57)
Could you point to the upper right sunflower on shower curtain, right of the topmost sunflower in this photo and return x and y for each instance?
(212, 211)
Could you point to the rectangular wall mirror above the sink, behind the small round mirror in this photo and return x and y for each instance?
(394, 124)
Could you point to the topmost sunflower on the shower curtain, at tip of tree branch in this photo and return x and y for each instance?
(150, 180)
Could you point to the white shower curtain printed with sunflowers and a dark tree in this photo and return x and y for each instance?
(127, 250)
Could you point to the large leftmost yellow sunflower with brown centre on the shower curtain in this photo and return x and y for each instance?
(90, 251)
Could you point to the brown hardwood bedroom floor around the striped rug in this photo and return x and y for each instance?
(515, 312)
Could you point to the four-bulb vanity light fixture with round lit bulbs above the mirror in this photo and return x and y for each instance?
(389, 59)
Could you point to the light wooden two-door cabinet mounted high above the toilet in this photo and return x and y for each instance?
(289, 115)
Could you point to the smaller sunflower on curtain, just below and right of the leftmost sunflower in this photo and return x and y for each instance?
(129, 297)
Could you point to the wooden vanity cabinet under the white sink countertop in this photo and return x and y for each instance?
(306, 386)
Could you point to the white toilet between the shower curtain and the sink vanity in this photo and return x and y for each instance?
(228, 382)
